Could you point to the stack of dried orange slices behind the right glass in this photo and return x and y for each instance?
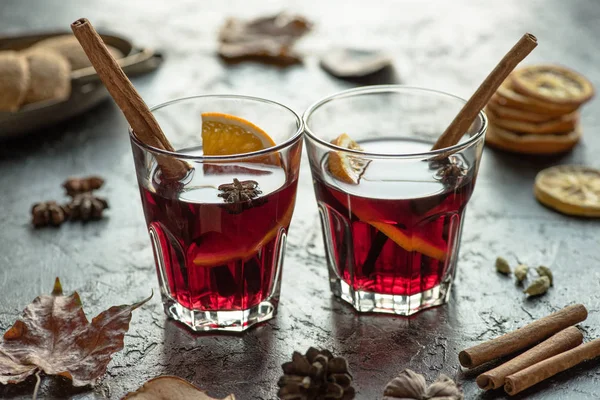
(535, 110)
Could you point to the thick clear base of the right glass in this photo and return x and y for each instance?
(364, 301)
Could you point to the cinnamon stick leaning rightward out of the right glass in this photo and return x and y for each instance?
(463, 120)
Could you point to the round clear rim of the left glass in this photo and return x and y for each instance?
(292, 139)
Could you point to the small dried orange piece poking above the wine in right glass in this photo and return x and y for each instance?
(343, 166)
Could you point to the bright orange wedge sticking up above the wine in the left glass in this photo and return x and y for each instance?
(225, 134)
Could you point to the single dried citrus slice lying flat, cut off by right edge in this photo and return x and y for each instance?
(570, 189)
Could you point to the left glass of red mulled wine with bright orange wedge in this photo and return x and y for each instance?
(219, 232)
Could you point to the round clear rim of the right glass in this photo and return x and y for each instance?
(394, 88)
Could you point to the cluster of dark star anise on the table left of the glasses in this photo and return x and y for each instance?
(84, 204)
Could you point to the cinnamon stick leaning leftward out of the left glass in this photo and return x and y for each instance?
(132, 105)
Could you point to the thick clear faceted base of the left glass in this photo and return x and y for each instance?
(227, 321)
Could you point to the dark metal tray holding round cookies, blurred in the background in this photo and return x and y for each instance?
(87, 89)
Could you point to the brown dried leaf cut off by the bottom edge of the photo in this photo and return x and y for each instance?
(170, 387)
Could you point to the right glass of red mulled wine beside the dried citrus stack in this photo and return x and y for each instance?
(391, 209)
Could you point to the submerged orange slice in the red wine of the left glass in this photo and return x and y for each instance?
(211, 257)
